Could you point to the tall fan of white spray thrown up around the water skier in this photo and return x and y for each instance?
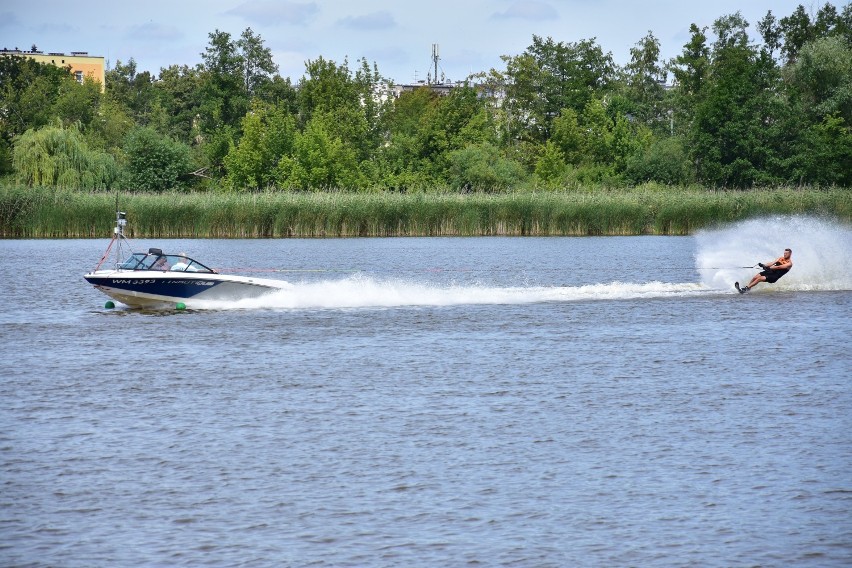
(822, 253)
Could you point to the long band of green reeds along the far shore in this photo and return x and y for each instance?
(27, 212)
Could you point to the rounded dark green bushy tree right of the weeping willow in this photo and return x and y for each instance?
(156, 162)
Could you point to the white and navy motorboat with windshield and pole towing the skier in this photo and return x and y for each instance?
(156, 279)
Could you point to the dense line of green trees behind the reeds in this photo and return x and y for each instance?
(728, 112)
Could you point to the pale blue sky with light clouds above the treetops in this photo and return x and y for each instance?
(397, 35)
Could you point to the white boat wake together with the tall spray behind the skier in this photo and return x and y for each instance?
(822, 252)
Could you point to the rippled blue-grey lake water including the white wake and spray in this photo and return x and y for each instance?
(436, 402)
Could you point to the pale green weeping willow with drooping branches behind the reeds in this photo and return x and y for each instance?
(59, 157)
